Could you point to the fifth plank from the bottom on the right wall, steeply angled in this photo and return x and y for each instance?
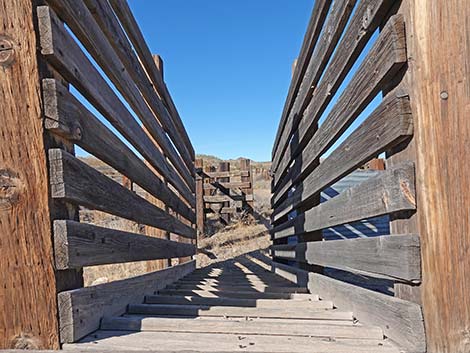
(382, 63)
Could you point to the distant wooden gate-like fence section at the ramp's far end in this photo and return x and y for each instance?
(224, 192)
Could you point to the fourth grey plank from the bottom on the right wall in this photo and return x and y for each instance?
(387, 126)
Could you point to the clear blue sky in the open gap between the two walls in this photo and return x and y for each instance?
(228, 66)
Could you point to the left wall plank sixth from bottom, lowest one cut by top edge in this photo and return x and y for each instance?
(83, 25)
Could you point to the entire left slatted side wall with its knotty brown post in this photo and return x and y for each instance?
(79, 73)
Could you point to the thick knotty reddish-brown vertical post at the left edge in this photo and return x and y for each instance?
(28, 291)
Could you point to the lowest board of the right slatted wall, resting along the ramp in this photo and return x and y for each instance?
(402, 321)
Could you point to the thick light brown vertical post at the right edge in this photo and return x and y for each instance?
(438, 35)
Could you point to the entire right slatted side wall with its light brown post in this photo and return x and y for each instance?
(411, 57)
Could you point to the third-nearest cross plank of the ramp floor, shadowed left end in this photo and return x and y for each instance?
(228, 311)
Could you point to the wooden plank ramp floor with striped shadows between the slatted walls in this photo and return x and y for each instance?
(235, 308)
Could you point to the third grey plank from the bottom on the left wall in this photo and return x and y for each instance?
(78, 183)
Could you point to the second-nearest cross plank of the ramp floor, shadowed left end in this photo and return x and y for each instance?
(258, 327)
